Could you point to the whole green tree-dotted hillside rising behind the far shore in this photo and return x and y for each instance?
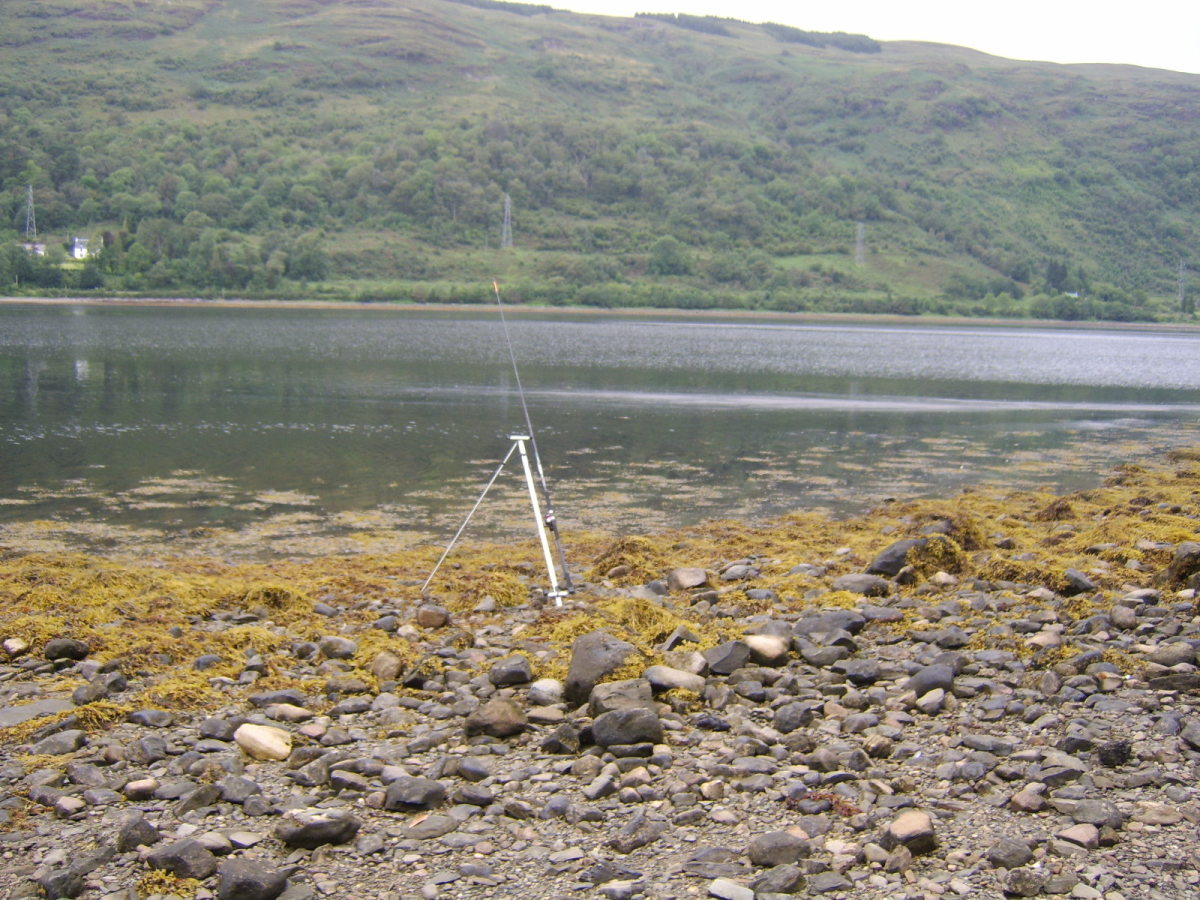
(363, 149)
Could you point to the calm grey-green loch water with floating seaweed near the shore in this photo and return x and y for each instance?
(281, 430)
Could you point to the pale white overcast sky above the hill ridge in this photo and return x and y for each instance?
(1161, 34)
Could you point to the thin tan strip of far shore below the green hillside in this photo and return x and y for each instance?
(407, 308)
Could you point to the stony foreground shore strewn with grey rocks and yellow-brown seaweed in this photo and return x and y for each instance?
(987, 697)
